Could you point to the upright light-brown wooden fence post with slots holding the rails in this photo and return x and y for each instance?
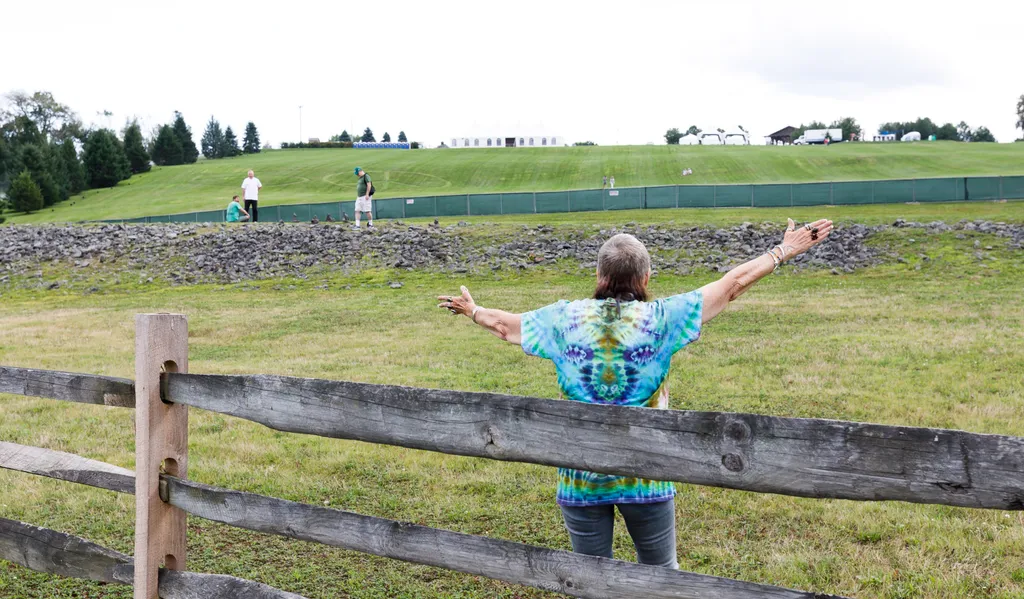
(161, 444)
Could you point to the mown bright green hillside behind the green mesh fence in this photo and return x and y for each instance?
(294, 177)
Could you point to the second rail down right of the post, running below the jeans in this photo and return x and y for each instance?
(572, 574)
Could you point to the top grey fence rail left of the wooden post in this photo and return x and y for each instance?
(68, 387)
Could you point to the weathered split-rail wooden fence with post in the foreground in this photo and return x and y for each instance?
(788, 456)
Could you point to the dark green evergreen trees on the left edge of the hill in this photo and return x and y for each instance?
(48, 156)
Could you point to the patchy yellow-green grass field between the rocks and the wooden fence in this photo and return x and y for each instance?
(936, 343)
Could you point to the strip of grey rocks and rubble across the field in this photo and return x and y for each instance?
(191, 254)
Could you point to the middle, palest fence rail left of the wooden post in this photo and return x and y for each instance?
(66, 467)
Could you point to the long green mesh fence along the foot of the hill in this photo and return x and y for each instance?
(773, 195)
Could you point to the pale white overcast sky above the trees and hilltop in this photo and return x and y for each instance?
(611, 72)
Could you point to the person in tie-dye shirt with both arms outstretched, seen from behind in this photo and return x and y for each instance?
(616, 350)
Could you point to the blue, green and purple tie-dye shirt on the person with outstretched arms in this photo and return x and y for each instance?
(611, 356)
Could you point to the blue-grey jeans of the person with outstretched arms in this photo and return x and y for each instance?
(653, 528)
